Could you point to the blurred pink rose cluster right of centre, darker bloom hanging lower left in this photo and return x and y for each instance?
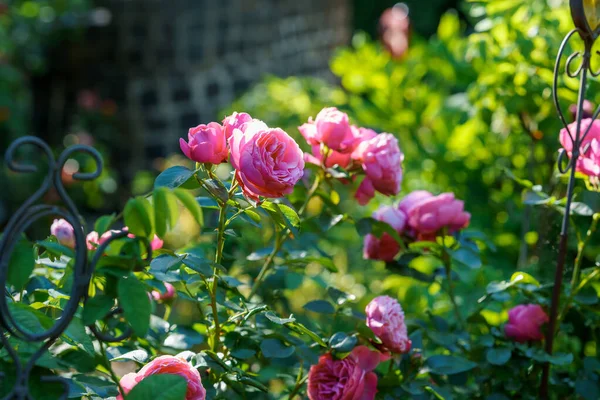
(419, 216)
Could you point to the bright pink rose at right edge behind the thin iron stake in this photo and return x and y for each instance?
(589, 157)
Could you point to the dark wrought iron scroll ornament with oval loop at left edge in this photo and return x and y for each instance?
(30, 211)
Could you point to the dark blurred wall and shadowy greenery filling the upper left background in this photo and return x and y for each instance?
(131, 76)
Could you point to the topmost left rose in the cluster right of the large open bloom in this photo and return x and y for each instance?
(331, 128)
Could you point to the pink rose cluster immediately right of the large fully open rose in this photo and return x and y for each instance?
(335, 142)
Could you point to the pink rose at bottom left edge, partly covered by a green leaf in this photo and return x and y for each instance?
(167, 365)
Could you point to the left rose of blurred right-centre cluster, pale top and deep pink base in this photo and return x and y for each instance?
(386, 247)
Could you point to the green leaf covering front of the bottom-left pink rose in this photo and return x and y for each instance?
(165, 386)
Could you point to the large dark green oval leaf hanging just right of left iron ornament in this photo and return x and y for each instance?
(133, 298)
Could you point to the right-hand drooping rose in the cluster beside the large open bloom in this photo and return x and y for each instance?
(381, 160)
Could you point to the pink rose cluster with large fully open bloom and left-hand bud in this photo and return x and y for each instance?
(267, 161)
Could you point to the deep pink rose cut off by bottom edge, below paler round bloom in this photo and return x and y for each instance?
(349, 379)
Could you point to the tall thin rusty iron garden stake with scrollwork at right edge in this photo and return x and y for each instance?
(586, 17)
